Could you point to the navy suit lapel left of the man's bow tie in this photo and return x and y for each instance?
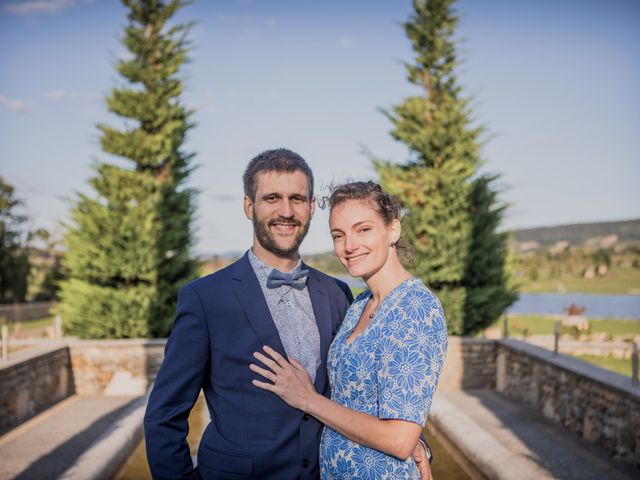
(255, 306)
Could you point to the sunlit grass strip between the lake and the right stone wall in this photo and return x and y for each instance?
(543, 325)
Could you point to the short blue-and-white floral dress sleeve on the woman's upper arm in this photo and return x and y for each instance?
(412, 353)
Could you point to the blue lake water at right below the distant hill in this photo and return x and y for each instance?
(601, 306)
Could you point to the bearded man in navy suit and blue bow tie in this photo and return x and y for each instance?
(223, 318)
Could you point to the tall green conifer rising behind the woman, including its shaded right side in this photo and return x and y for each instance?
(452, 217)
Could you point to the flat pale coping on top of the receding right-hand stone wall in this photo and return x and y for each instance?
(578, 367)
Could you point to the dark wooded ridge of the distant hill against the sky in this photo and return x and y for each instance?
(577, 234)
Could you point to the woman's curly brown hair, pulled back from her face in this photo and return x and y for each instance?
(386, 206)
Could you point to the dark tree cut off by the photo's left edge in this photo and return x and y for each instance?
(14, 262)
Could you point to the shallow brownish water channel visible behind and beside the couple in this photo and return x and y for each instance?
(448, 463)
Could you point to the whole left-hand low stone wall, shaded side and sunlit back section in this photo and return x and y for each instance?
(35, 379)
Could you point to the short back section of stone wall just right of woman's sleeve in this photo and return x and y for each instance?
(470, 363)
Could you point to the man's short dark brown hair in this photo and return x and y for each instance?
(277, 160)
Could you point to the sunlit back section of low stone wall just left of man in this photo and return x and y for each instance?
(115, 367)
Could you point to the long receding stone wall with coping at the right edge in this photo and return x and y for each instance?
(600, 406)
